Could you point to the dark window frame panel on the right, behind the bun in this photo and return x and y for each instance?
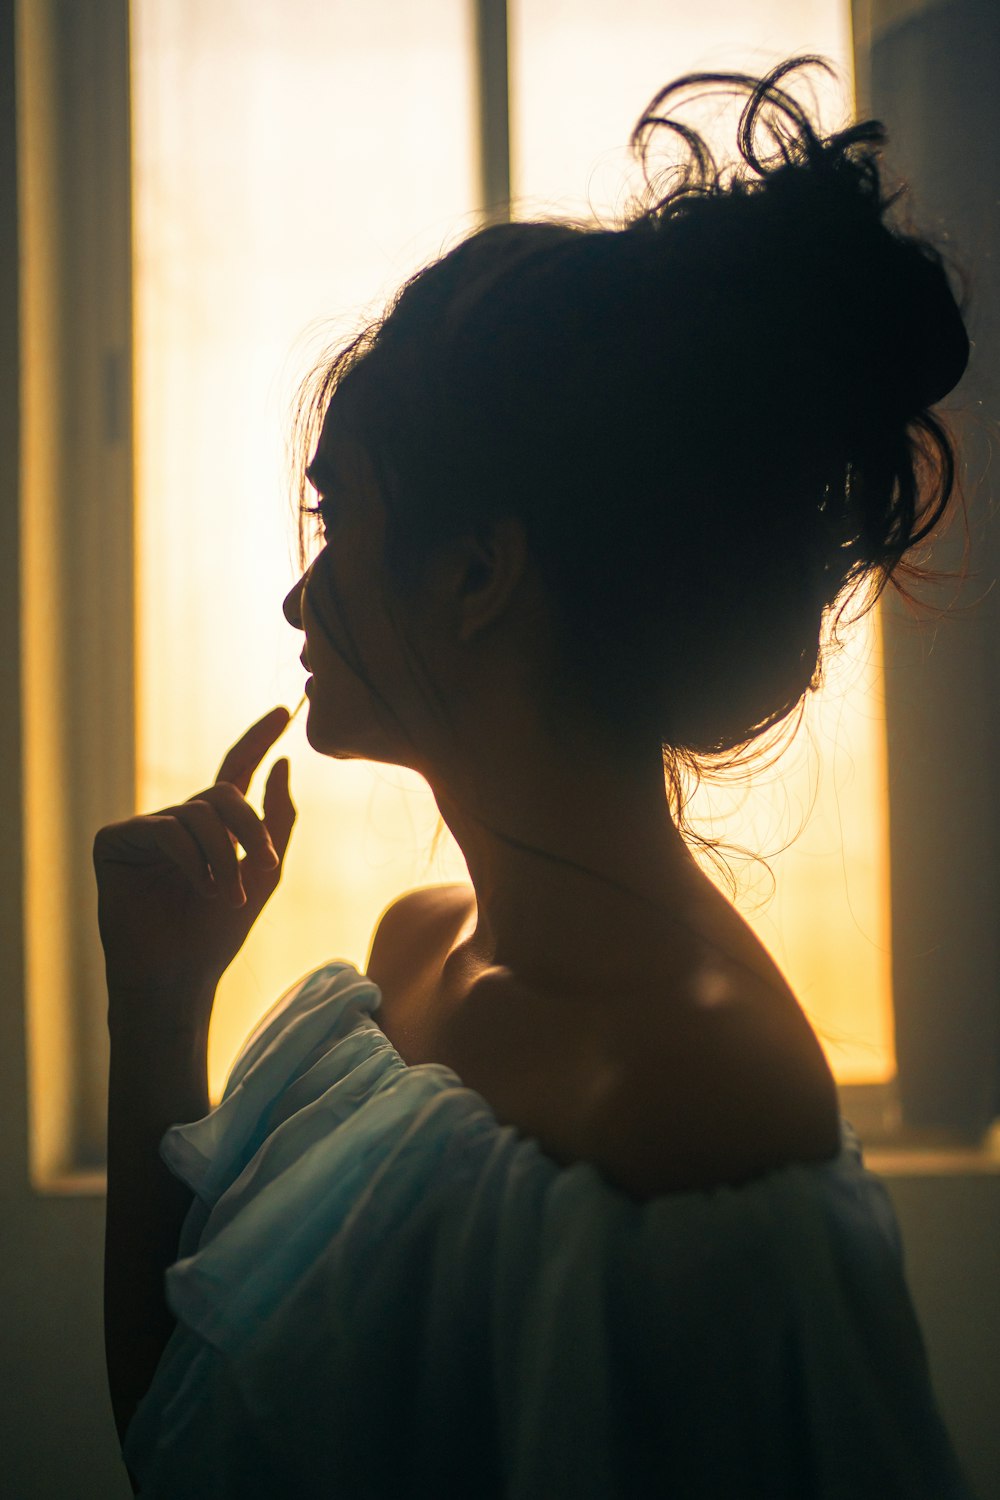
(942, 715)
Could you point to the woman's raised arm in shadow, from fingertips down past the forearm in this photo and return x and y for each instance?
(175, 907)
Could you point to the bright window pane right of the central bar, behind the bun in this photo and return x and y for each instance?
(581, 74)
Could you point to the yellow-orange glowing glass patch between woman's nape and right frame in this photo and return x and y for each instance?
(824, 910)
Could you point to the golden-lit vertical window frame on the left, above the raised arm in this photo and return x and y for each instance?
(77, 551)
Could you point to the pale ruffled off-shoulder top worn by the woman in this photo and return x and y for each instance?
(382, 1291)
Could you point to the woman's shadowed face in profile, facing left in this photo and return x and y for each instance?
(341, 607)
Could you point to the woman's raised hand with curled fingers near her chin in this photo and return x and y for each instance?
(175, 899)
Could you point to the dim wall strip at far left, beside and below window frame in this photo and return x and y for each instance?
(56, 1430)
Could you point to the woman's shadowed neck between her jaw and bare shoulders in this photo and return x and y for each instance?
(572, 856)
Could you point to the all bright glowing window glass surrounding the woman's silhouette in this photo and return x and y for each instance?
(275, 185)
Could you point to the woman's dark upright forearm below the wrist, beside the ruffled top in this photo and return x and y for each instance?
(158, 1079)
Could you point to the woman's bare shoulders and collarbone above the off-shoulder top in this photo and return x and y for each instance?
(738, 1090)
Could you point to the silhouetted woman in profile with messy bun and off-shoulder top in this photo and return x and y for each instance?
(555, 1199)
